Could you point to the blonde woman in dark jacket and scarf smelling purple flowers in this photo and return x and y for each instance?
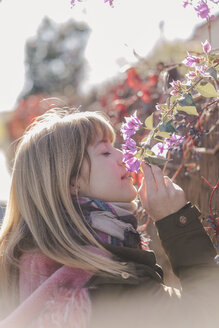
(70, 252)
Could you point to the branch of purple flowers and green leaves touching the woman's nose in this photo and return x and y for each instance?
(199, 81)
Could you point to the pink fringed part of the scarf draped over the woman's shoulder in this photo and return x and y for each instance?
(51, 295)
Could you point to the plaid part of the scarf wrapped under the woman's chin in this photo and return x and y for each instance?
(113, 223)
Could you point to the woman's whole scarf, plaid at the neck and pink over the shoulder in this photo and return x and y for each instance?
(53, 295)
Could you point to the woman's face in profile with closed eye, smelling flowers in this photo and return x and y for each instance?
(109, 179)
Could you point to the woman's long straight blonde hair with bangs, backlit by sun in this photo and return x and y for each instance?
(40, 210)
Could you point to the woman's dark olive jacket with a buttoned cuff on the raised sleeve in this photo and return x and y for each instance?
(142, 300)
